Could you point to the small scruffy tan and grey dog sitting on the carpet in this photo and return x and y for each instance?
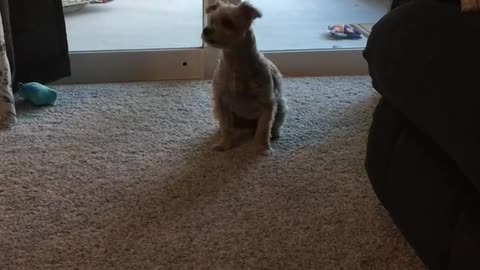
(247, 87)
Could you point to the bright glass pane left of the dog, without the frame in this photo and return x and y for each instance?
(129, 25)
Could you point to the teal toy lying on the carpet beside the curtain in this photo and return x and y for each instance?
(37, 94)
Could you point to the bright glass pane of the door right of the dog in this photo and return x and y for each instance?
(304, 25)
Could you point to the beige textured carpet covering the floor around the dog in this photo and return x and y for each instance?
(121, 176)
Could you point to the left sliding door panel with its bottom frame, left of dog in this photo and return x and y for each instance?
(132, 40)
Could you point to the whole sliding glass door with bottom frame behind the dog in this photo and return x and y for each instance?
(131, 40)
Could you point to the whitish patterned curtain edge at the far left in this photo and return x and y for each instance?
(7, 102)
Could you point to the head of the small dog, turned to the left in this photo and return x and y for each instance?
(228, 23)
